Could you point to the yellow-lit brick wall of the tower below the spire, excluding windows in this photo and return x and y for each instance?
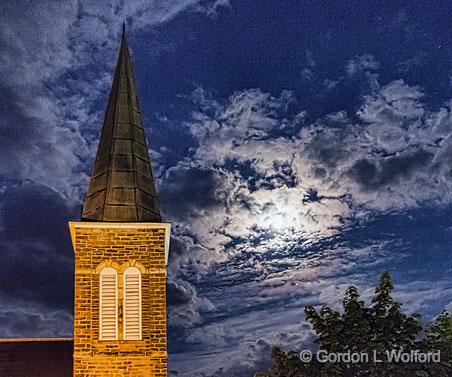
(119, 247)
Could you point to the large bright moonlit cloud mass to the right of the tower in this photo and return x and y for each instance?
(262, 191)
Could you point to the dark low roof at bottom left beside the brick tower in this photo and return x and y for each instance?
(36, 357)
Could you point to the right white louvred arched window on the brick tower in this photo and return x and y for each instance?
(132, 304)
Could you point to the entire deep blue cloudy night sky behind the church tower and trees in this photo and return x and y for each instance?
(298, 147)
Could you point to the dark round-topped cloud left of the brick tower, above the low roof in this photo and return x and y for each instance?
(36, 273)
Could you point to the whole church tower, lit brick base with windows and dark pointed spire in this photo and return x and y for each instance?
(121, 249)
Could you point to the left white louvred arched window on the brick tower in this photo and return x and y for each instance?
(108, 315)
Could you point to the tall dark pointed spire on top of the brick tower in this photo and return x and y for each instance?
(121, 187)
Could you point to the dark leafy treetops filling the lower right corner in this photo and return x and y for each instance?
(380, 327)
